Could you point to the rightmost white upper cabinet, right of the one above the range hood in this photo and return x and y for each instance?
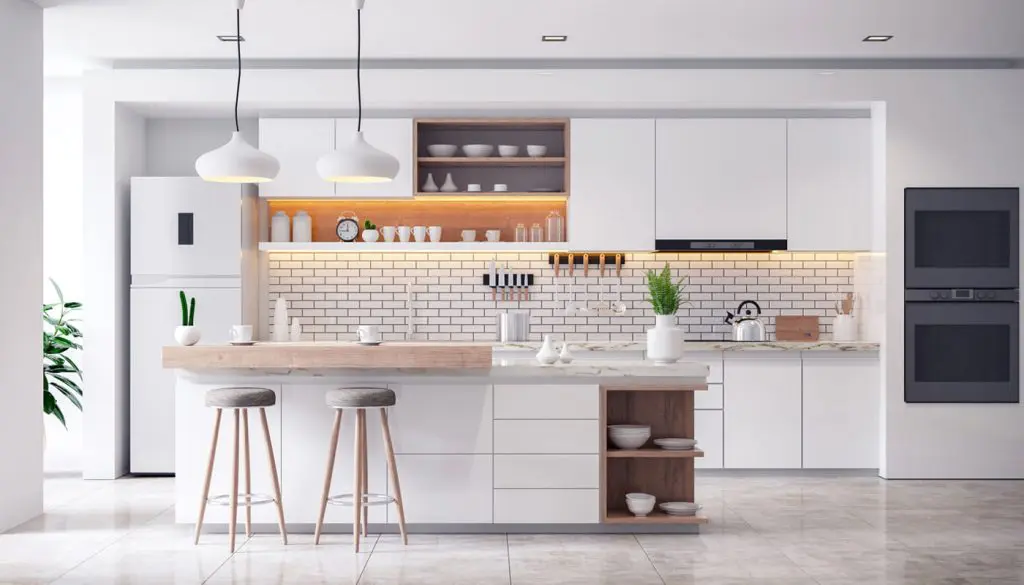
(830, 169)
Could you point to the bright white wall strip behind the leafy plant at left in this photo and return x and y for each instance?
(63, 248)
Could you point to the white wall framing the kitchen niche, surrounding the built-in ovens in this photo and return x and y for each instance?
(943, 129)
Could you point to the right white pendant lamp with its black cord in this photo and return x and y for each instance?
(358, 161)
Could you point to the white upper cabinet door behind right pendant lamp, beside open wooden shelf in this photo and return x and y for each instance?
(393, 137)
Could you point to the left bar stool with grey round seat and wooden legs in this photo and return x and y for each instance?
(240, 401)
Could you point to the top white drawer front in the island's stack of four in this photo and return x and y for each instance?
(533, 402)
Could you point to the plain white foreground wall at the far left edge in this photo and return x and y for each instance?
(21, 238)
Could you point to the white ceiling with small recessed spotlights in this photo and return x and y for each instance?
(90, 33)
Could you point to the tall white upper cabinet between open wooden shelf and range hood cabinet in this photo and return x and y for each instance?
(612, 206)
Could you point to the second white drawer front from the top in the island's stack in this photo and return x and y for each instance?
(561, 437)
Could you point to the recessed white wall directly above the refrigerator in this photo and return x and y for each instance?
(173, 145)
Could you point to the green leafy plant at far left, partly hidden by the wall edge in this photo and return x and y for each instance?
(60, 371)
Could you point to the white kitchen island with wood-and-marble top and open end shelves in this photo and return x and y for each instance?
(510, 446)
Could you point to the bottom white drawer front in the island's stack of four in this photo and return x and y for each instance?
(546, 507)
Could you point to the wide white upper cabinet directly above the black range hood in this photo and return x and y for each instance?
(721, 179)
